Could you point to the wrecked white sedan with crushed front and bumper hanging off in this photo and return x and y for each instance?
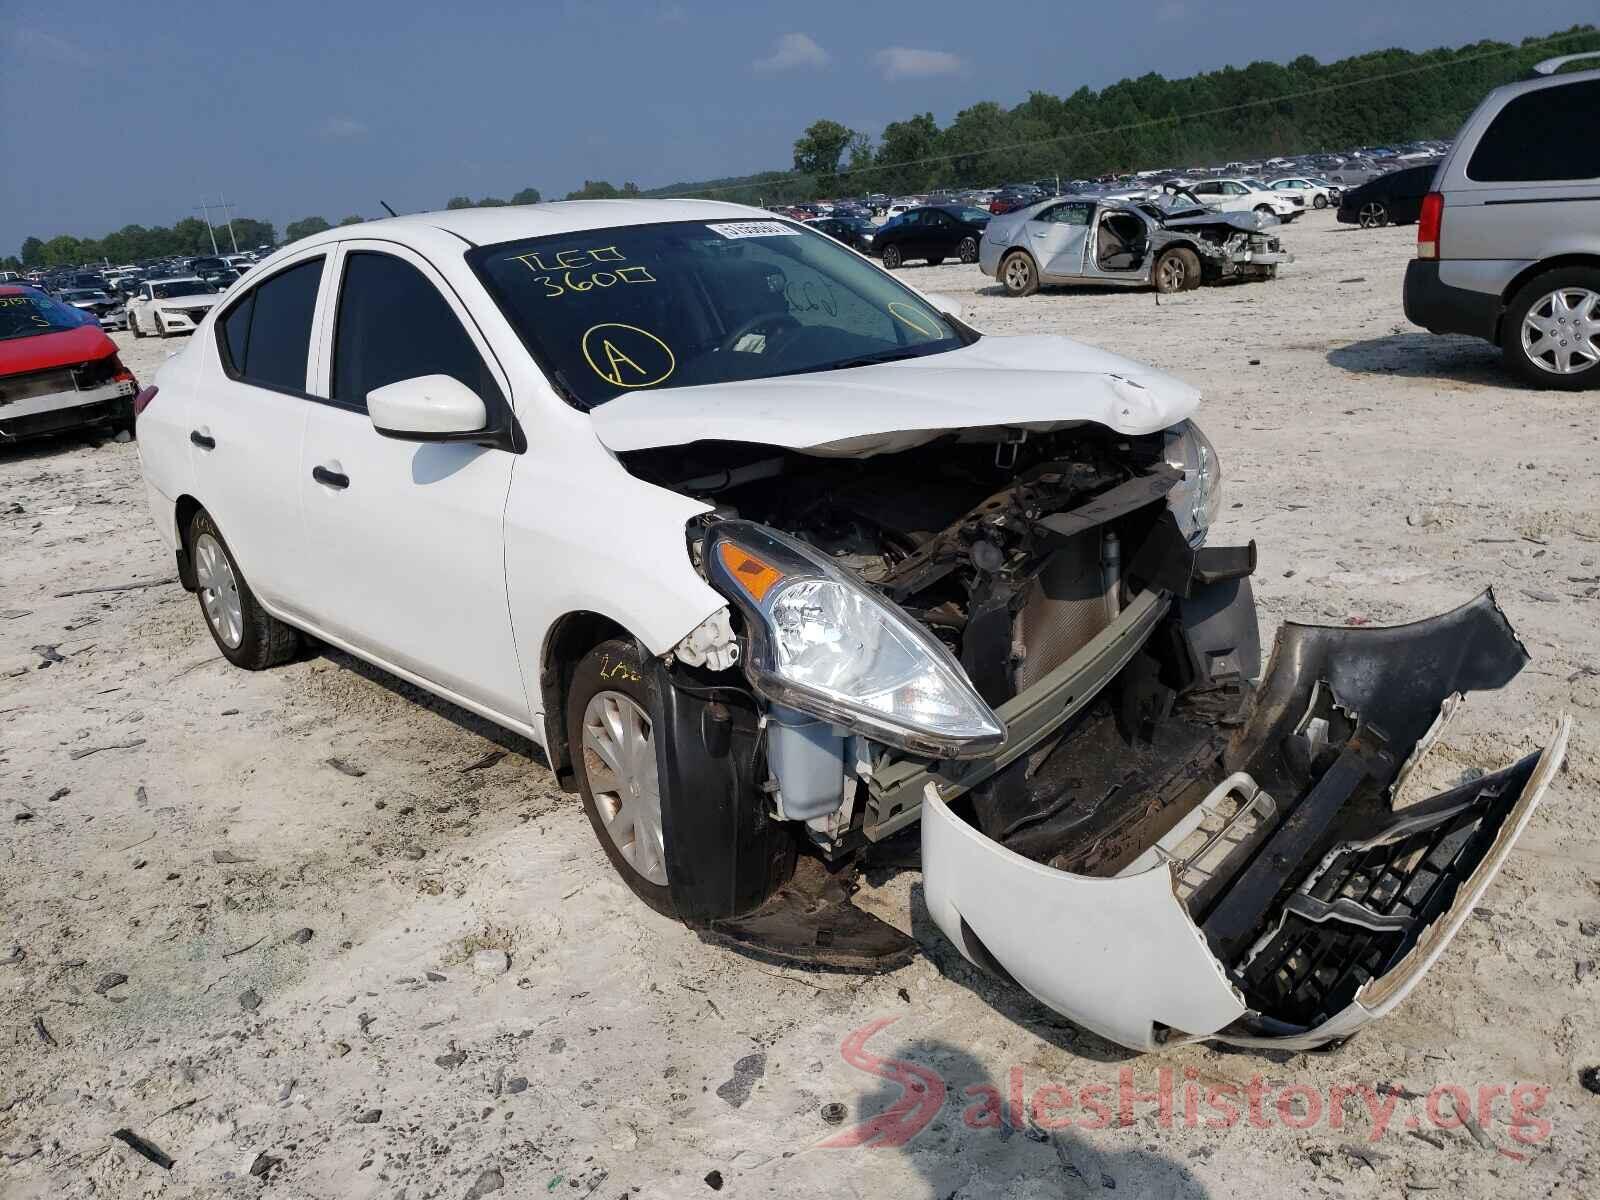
(774, 556)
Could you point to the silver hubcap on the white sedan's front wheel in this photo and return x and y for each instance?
(620, 759)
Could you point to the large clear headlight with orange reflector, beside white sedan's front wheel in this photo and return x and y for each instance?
(826, 644)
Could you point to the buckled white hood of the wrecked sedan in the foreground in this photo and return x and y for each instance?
(1039, 383)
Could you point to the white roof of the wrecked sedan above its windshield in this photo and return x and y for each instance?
(513, 223)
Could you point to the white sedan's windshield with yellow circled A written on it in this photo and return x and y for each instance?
(607, 311)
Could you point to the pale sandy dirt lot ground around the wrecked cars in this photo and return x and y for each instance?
(298, 938)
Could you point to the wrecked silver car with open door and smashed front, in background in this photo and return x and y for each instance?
(1170, 242)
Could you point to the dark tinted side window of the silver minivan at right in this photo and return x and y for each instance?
(1545, 135)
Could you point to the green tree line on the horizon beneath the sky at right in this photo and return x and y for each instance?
(1153, 122)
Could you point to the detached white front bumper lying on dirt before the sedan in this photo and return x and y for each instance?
(1286, 892)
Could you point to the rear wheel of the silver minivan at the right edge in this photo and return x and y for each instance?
(1538, 356)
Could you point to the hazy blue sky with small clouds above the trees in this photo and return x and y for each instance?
(116, 114)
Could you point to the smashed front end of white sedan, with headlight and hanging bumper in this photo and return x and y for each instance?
(1018, 636)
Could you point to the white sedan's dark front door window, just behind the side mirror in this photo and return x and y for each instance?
(396, 326)
